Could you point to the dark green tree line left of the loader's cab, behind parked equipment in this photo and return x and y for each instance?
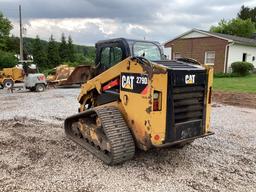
(45, 54)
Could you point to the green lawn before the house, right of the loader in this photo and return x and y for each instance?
(236, 84)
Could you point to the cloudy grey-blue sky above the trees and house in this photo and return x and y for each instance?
(88, 21)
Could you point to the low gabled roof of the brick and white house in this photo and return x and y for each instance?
(230, 38)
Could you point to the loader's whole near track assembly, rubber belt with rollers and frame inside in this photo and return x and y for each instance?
(103, 132)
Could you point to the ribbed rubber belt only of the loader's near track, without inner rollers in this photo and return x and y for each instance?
(116, 130)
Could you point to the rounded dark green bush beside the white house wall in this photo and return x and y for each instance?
(242, 68)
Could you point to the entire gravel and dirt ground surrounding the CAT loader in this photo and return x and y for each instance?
(35, 155)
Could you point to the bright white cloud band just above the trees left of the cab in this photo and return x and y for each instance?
(45, 27)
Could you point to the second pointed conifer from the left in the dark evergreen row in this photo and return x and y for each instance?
(53, 53)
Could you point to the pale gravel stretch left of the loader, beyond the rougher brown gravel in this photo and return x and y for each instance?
(52, 106)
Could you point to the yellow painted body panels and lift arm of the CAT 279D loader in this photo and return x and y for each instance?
(148, 126)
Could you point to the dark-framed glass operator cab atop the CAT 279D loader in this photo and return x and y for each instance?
(111, 52)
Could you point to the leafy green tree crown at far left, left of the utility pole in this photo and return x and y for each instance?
(5, 28)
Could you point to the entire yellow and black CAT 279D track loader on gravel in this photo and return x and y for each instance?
(136, 98)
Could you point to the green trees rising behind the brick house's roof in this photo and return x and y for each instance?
(244, 25)
